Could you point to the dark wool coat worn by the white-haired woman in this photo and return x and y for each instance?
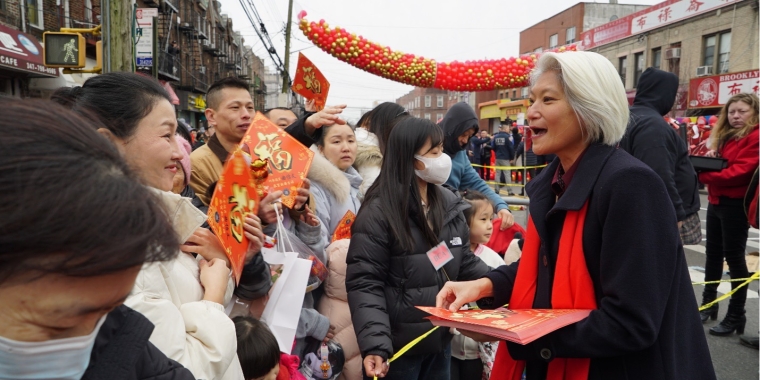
(647, 325)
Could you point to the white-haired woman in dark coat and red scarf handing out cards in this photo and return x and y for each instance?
(602, 235)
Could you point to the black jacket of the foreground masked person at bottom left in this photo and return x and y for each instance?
(122, 351)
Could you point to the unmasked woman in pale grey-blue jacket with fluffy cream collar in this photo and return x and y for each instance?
(335, 183)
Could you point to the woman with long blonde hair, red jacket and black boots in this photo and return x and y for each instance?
(735, 138)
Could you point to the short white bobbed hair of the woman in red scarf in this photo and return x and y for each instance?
(594, 90)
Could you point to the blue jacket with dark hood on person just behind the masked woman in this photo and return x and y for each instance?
(459, 119)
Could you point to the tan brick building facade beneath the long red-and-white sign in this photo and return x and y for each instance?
(721, 41)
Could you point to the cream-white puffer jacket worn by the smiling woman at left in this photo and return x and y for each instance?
(196, 333)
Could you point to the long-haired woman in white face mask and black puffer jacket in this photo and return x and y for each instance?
(407, 213)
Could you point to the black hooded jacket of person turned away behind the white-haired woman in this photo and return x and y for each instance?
(650, 139)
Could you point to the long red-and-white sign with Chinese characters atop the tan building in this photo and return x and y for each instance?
(656, 16)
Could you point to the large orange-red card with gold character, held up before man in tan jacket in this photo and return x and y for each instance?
(288, 160)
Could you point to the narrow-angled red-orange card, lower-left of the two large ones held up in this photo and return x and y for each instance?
(234, 198)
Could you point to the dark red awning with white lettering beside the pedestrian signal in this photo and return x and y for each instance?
(22, 52)
